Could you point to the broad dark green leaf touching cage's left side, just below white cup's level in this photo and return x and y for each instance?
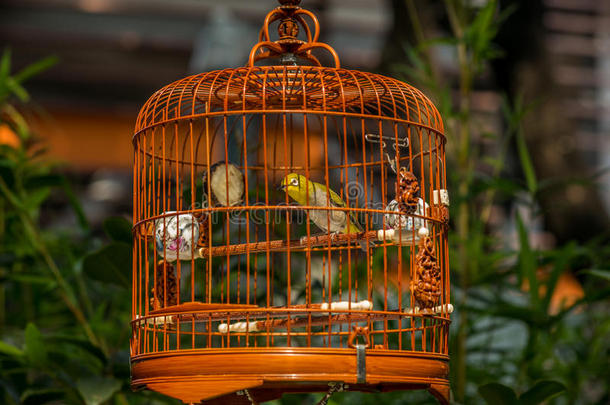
(111, 264)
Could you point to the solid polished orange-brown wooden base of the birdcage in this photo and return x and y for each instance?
(217, 375)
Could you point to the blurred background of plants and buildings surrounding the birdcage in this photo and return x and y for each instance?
(523, 86)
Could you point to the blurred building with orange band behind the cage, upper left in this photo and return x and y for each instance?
(113, 54)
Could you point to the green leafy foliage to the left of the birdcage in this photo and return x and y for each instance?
(63, 333)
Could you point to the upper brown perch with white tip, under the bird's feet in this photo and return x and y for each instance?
(392, 235)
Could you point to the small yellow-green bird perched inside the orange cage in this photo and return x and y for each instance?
(299, 188)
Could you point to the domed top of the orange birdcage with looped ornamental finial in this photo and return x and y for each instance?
(288, 84)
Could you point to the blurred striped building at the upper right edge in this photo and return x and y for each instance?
(578, 35)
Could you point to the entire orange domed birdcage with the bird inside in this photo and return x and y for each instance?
(290, 229)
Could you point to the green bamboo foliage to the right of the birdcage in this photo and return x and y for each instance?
(508, 331)
